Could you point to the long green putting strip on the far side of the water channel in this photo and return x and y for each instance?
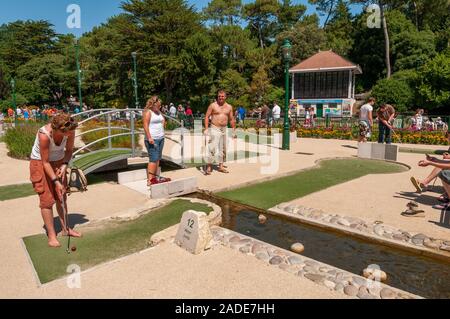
(329, 173)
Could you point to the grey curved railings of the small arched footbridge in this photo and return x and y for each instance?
(130, 116)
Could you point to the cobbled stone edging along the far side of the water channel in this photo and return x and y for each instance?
(377, 232)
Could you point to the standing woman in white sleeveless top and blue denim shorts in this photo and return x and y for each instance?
(154, 124)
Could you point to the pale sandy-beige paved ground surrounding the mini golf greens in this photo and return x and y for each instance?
(167, 271)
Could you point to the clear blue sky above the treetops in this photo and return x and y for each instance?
(93, 13)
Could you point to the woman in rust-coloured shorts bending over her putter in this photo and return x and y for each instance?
(50, 156)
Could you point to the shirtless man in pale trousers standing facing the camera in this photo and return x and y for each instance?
(220, 113)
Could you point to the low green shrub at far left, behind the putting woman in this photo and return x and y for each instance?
(20, 140)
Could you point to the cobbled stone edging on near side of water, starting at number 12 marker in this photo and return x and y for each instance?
(325, 275)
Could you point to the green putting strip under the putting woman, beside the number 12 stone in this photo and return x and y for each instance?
(114, 241)
